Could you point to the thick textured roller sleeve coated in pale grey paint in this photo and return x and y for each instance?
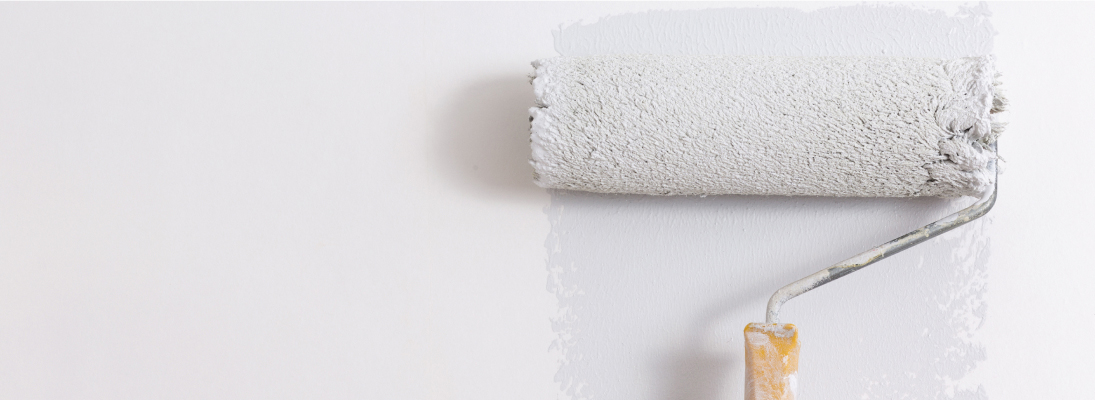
(829, 127)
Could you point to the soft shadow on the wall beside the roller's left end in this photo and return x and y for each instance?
(483, 145)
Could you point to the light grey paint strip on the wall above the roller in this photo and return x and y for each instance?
(845, 31)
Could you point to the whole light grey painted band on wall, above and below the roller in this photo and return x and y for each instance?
(654, 292)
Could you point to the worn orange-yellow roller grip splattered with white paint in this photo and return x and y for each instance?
(771, 362)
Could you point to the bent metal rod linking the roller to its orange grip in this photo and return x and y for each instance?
(976, 211)
